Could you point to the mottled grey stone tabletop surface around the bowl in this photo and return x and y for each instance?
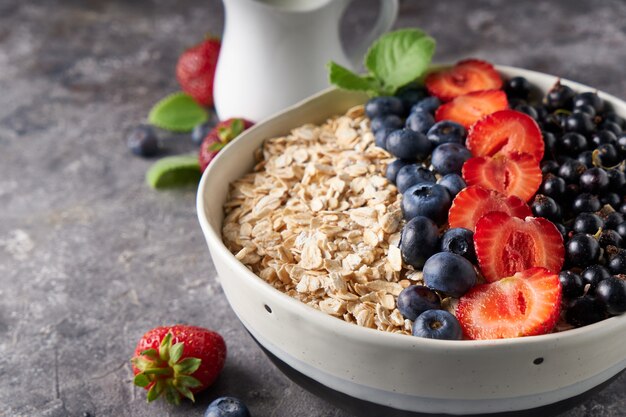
(90, 257)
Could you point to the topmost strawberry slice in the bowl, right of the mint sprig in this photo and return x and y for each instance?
(465, 77)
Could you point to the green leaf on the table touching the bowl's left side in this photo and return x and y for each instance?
(174, 171)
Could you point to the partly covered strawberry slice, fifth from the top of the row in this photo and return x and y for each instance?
(474, 202)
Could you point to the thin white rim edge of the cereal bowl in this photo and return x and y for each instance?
(375, 336)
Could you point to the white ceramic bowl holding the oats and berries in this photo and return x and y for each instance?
(398, 371)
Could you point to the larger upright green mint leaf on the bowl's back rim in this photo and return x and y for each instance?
(400, 57)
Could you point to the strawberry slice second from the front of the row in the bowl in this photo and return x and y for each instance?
(506, 245)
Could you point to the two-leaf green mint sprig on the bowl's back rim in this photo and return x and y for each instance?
(396, 59)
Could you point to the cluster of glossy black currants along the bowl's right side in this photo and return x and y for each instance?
(583, 192)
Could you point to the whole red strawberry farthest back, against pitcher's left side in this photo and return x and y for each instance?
(195, 70)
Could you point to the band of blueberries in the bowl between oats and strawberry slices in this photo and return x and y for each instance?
(405, 126)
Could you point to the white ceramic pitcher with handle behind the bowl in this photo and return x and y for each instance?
(274, 52)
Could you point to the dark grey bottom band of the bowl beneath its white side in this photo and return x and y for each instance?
(363, 408)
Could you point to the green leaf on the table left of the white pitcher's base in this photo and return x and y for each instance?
(177, 112)
